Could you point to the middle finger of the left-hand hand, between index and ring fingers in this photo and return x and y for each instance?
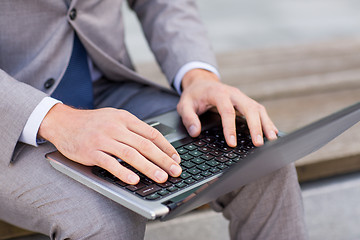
(151, 152)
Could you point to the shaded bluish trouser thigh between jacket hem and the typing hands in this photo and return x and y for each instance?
(141, 100)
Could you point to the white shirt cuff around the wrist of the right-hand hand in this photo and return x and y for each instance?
(190, 66)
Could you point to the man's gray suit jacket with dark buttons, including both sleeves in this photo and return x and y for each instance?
(36, 39)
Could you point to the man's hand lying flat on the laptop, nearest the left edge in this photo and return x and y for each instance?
(96, 137)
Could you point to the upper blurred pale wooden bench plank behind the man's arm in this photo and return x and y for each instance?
(254, 70)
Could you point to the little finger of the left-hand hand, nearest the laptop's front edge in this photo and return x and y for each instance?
(110, 164)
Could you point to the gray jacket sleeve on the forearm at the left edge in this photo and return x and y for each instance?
(17, 101)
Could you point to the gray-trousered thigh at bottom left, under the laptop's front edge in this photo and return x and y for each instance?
(35, 196)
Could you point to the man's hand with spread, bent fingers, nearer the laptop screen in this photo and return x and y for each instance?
(202, 90)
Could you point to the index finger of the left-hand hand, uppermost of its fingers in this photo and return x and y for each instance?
(143, 129)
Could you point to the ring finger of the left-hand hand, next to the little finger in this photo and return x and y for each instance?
(136, 160)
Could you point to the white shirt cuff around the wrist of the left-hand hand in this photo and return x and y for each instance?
(30, 131)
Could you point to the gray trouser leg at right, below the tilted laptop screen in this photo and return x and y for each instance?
(269, 208)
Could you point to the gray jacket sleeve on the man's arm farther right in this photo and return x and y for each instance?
(174, 32)
